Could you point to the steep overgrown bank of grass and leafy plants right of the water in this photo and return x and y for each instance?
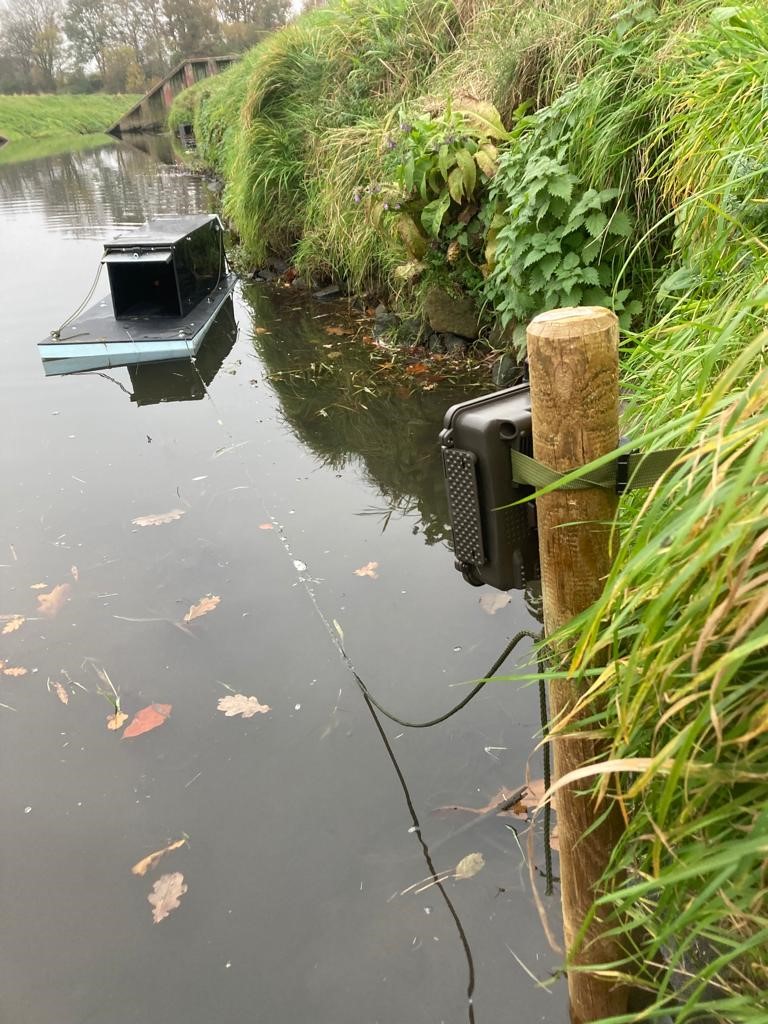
(539, 155)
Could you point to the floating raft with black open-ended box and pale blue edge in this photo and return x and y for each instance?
(168, 281)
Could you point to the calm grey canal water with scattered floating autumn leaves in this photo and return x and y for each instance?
(282, 465)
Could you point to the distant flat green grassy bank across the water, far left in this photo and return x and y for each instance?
(50, 116)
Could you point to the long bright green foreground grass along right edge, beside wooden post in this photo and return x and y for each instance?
(682, 621)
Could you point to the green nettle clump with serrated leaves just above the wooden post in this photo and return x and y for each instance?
(551, 242)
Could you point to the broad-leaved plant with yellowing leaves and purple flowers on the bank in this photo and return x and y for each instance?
(441, 166)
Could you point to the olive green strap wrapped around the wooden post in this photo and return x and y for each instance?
(637, 470)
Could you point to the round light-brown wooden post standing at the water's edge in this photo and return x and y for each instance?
(574, 361)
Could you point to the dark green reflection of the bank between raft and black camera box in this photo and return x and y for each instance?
(348, 409)
